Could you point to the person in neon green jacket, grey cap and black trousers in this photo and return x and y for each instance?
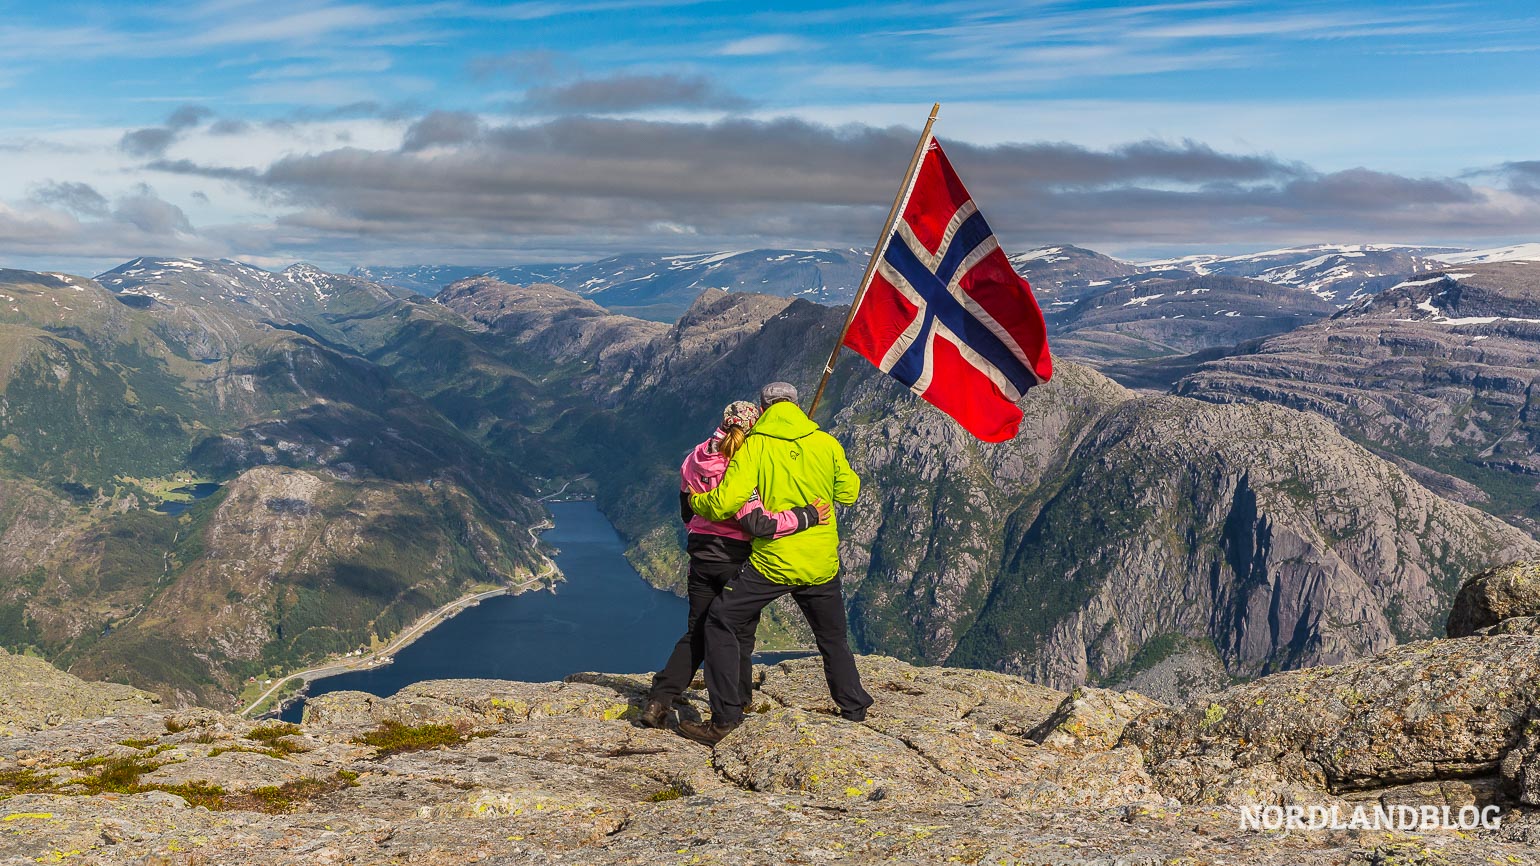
(791, 463)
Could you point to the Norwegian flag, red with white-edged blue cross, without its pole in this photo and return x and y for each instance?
(946, 314)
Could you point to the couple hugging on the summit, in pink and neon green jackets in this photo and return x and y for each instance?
(757, 500)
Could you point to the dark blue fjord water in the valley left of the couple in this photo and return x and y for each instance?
(603, 617)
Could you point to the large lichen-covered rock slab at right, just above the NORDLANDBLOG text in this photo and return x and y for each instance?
(1418, 713)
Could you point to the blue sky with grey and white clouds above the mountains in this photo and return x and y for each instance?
(464, 132)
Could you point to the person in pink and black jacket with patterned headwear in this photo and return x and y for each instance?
(718, 549)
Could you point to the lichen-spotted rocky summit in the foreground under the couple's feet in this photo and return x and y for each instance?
(951, 767)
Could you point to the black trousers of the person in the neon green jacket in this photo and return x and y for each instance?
(742, 602)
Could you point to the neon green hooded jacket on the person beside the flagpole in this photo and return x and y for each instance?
(791, 462)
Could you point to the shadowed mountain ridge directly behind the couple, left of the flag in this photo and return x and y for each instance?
(631, 398)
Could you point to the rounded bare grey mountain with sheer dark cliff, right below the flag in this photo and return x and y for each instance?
(1259, 529)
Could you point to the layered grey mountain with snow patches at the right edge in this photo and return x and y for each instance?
(1439, 372)
